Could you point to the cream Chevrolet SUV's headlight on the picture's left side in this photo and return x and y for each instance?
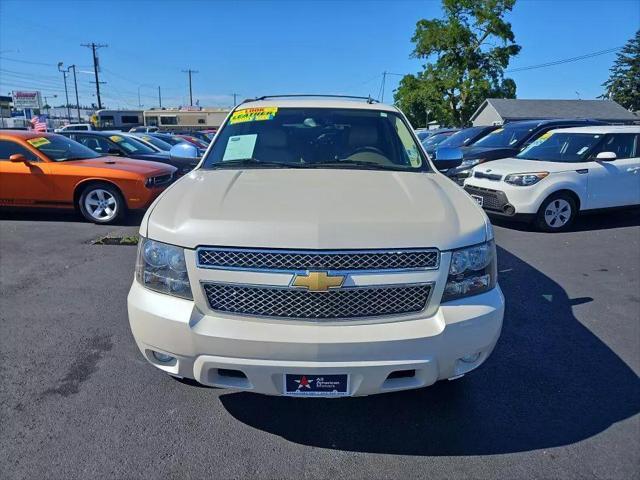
(161, 267)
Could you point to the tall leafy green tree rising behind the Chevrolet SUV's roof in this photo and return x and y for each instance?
(466, 53)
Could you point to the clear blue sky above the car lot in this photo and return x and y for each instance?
(264, 47)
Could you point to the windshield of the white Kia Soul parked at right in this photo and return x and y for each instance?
(561, 147)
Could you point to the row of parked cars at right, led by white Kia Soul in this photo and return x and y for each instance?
(544, 172)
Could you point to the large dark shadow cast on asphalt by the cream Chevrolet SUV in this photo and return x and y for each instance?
(549, 382)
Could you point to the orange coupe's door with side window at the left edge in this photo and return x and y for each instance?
(23, 183)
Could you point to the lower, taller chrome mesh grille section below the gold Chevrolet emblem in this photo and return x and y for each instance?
(343, 303)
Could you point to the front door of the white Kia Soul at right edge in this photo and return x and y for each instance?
(615, 183)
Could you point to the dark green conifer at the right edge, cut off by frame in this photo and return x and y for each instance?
(623, 85)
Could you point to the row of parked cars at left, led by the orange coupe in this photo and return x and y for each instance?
(101, 174)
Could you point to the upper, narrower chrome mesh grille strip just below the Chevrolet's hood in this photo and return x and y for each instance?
(262, 259)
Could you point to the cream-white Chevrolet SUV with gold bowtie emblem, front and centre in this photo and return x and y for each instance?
(315, 251)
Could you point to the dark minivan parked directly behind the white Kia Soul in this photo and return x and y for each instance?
(506, 141)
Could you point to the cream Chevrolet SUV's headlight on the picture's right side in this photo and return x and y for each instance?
(472, 271)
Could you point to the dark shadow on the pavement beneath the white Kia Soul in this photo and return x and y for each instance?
(583, 223)
